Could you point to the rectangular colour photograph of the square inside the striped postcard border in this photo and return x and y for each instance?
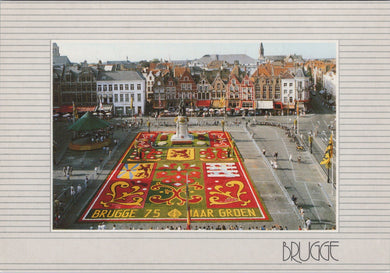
(194, 135)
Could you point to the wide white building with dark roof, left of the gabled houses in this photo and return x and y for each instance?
(125, 90)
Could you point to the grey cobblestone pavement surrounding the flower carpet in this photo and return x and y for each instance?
(305, 180)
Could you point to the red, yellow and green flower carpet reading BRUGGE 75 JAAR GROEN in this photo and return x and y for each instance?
(149, 182)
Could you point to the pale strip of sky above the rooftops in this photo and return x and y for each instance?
(93, 51)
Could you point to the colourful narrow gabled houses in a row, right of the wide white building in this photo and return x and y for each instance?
(269, 88)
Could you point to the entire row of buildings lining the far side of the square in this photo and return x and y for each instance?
(123, 88)
